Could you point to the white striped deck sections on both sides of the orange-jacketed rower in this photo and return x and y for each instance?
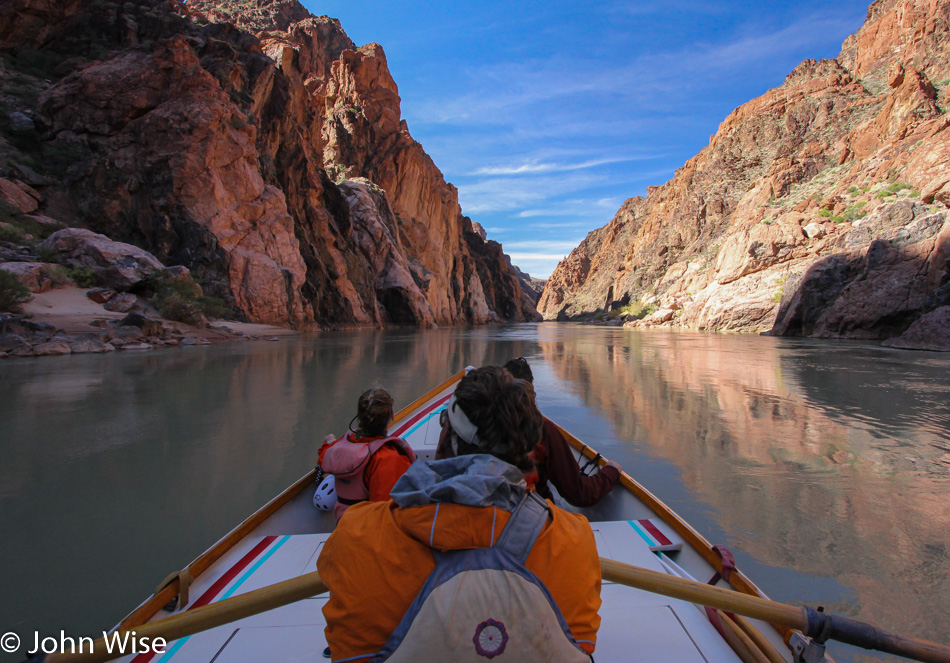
(636, 625)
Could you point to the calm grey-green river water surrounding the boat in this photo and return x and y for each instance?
(826, 466)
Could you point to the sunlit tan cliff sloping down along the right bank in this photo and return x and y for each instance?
(816, 209)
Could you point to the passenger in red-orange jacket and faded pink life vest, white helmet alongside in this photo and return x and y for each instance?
(366, 463)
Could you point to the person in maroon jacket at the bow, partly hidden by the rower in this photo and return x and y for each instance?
(556, 463)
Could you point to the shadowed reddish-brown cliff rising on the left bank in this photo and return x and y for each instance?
(254, 144)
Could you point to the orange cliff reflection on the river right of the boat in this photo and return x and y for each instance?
(828, 460)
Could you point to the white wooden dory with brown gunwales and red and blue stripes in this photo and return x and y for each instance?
(283, 539)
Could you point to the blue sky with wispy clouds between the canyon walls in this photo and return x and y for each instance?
(548, 115)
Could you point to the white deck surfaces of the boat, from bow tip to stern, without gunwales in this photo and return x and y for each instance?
(636, 625)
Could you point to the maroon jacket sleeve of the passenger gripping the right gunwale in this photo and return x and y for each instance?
(561, 469)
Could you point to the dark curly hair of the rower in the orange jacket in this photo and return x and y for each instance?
(504, 411)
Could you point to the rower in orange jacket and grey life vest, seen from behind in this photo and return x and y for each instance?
(466, 559)
